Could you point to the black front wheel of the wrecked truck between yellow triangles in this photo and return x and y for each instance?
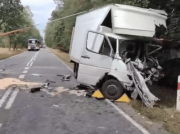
(112, 89)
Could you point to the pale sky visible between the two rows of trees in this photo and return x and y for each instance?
(41, 10)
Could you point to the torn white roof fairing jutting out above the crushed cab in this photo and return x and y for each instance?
(136, 21)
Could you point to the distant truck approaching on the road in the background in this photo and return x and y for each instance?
(33, 44)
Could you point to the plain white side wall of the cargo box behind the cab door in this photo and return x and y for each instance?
(84, 23)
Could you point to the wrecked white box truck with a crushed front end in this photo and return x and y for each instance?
(110, 50)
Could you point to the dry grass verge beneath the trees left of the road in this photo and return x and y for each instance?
(6, 53)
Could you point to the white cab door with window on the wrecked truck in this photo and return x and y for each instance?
(96, 59)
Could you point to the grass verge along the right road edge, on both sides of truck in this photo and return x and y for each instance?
(164, 111)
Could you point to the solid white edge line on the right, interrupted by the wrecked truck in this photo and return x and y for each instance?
(143, 130)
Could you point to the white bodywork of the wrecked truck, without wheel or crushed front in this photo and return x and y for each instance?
(120, 22)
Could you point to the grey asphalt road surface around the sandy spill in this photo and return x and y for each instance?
(22, 112)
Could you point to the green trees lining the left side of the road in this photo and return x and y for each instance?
(13, 16)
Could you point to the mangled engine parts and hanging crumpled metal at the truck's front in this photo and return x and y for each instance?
(141, 73)
